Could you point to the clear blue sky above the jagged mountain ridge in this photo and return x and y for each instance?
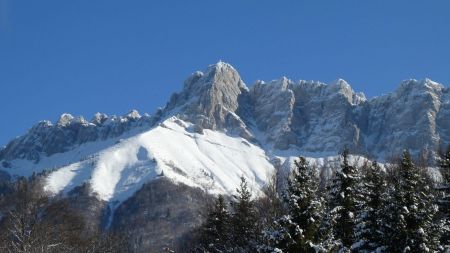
(112, 56)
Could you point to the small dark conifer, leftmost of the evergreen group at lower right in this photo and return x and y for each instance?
(216, 230)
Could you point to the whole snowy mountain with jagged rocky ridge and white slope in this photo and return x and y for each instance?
(215, 130)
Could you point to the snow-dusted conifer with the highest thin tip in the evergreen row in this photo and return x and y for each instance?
(343, 203)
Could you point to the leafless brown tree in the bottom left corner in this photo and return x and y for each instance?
(35, 224)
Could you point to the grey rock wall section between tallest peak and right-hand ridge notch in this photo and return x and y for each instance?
(312, 116)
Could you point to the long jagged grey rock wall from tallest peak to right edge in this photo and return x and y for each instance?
(316, 117)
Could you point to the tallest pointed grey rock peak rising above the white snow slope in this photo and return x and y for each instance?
(210, 99)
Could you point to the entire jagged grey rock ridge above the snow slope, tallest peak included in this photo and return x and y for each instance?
(310, 117)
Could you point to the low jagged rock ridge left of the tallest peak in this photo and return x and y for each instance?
(46, 138)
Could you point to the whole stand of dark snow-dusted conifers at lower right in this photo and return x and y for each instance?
(366, 208)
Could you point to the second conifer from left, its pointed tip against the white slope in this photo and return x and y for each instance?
(244, 230)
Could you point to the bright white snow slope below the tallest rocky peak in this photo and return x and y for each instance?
(213, 161)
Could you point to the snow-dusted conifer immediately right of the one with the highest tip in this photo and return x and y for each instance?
(371, 217)
